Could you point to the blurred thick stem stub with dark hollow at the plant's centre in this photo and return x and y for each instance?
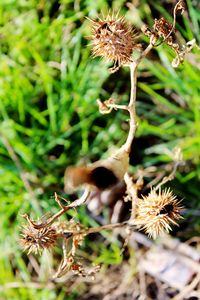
(102, 174)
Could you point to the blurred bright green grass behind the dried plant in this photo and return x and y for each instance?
(49, 119)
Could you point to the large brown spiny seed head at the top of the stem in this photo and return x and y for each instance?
(114, 40)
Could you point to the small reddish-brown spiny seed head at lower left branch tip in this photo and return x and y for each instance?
(35, 240)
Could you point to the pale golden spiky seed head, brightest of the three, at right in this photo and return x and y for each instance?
(157, 211)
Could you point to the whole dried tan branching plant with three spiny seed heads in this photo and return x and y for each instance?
(113, 39)
